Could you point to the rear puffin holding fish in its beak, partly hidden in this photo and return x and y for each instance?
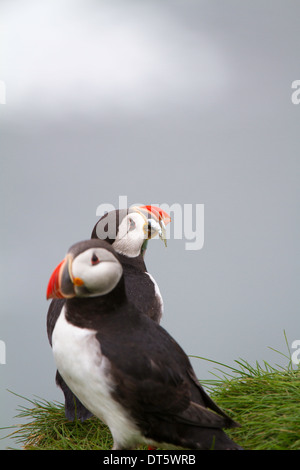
(128, 231)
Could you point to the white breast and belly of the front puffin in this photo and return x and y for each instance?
(86, 371)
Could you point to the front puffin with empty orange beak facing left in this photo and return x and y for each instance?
(124, 367)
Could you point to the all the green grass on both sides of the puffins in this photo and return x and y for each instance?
(265, 400)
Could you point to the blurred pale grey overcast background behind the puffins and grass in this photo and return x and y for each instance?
(179, 101)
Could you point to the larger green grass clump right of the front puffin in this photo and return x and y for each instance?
(266, 403)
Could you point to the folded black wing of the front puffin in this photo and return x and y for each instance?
(153, 375)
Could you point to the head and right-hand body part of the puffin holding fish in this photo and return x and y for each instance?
(128, 230)
